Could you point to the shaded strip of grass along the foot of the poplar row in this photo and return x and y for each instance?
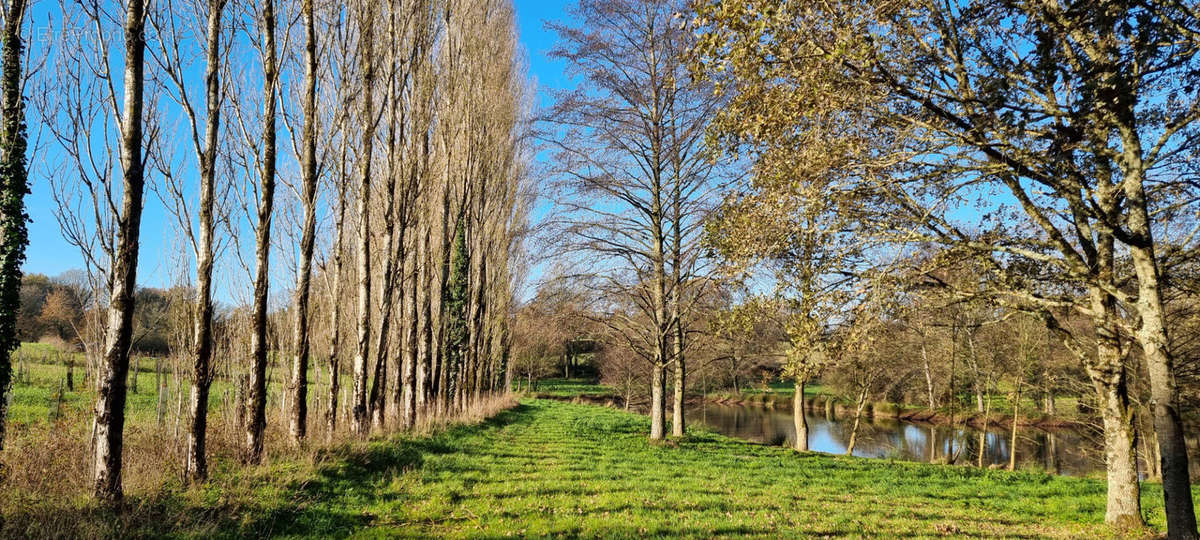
(328, 501)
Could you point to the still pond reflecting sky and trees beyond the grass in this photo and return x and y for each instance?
(1061, 452)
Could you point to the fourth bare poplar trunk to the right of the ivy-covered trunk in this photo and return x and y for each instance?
(309, 233)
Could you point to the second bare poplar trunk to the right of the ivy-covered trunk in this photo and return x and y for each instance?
(196, 465)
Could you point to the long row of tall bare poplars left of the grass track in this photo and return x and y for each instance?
(403, 128)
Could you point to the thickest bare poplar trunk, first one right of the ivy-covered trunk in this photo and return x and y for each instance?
(111, 401)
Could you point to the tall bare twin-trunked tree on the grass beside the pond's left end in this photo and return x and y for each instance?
(633, 141)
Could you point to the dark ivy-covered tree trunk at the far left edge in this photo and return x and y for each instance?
(14, 188)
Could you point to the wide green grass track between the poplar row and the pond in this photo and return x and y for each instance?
(553, 469)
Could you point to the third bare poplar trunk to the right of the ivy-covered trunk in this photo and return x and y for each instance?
(259, 345)
